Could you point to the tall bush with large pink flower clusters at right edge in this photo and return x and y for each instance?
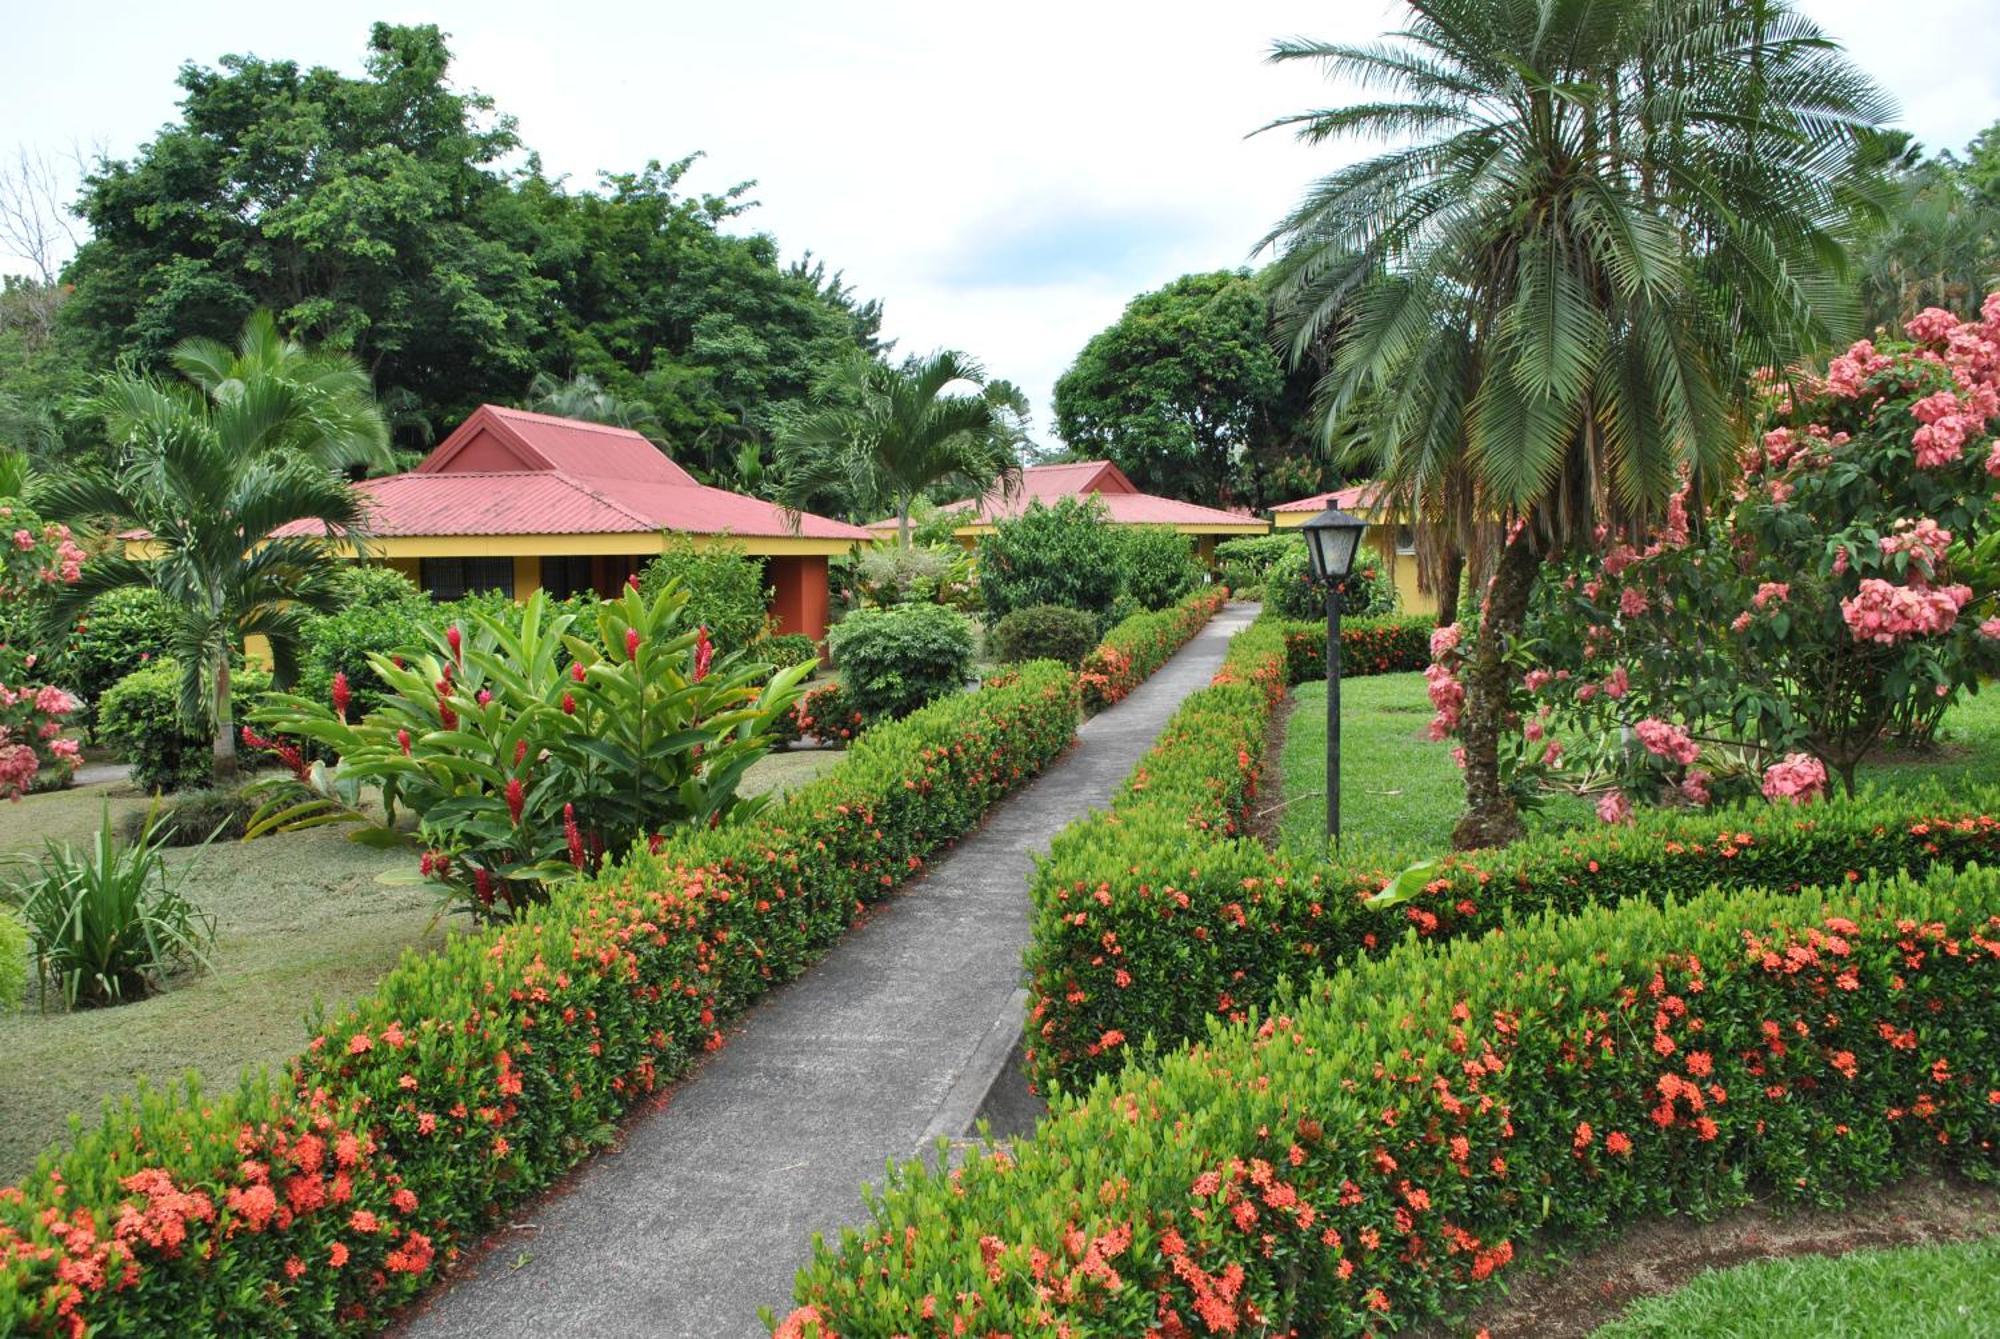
(1845, 595)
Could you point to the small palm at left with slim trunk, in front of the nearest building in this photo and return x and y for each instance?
(211, 473)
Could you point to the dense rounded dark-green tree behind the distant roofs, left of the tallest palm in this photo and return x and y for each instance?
(1187, 395)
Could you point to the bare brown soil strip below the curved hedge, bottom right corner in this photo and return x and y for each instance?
(1591, 1290)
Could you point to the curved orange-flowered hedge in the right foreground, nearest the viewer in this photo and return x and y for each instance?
(1381, 1146)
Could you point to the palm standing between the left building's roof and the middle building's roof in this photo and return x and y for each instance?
(883, 437)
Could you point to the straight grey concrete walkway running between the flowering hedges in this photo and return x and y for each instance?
(707, 1210)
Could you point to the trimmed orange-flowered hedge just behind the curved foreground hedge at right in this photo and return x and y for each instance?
(1207, 928)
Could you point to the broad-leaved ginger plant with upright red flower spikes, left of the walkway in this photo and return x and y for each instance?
(533, 746)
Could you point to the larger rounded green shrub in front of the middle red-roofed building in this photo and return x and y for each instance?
(1051, 555)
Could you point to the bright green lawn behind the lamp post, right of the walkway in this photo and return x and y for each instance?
(1401, 792)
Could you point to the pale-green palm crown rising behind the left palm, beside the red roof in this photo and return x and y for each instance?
(289, 399)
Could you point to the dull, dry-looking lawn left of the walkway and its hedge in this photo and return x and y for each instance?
(301, 920)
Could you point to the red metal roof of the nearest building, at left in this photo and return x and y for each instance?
(511, 473)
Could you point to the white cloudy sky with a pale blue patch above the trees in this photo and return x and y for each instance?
(1003, 177)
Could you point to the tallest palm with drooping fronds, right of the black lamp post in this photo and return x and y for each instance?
(1597, 219)
